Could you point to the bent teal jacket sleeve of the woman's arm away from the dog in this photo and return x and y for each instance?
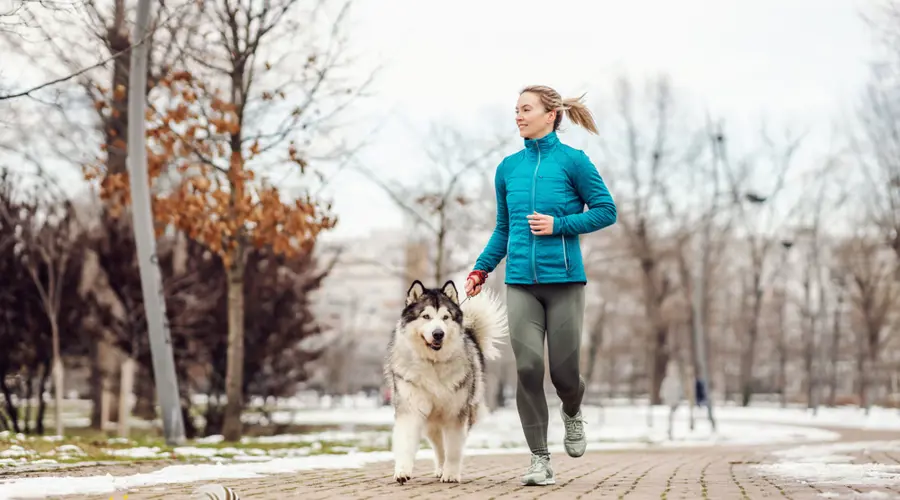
(592, 190)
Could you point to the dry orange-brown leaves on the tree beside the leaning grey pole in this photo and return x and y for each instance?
(202, 187)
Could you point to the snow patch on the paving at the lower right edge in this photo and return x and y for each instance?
(835, 463)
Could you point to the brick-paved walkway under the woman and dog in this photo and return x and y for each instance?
(690, 474)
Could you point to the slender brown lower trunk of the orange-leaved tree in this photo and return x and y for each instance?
(234, 377)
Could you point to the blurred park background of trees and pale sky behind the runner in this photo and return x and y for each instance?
(308, 159)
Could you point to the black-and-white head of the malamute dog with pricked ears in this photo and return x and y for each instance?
(432, 316)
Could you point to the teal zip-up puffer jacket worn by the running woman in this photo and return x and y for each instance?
(550, 178)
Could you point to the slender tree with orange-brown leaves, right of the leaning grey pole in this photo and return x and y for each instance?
(284, 88)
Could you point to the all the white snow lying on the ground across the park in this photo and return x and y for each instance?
(615, 426)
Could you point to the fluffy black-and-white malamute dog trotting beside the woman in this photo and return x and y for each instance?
(435, 370)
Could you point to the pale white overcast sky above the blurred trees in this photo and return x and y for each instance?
(801, 62)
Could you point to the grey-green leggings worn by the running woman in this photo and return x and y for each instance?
(558, 310)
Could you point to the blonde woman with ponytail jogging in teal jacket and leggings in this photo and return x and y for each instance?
(541, 194)
